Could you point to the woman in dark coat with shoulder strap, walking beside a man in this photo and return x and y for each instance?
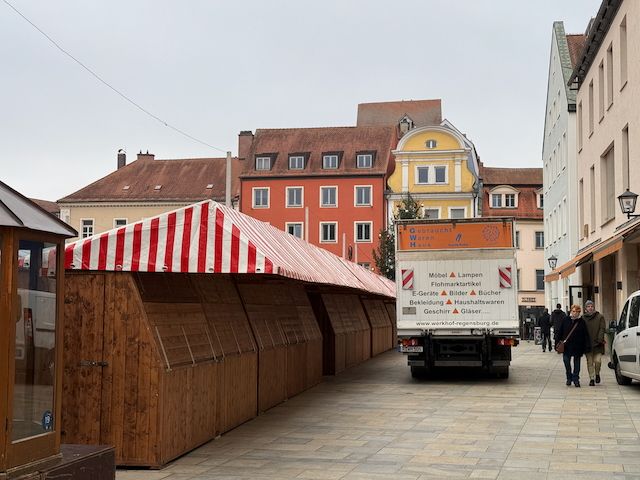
(576, 345)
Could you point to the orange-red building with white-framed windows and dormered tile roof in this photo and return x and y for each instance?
(325, 185)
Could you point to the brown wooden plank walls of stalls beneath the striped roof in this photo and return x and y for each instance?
(187, 360)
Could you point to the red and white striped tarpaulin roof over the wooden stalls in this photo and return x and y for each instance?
(208, 237)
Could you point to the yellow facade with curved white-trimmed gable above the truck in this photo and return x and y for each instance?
(438, 166)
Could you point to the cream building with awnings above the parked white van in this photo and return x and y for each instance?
(607, 76)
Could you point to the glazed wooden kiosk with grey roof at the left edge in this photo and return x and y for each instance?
(31, 294)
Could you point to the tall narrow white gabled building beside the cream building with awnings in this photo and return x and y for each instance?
(559, 161)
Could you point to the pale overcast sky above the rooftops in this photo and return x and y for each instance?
(213, 68)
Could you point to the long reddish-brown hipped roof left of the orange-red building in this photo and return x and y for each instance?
(183, 180)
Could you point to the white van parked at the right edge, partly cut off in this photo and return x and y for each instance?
(625, 351)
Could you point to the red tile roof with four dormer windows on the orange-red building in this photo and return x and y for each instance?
(312, 143)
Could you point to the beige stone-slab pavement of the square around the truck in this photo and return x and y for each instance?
(375, 422)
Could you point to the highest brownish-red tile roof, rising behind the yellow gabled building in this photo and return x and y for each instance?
(422, 112)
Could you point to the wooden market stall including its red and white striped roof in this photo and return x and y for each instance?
(188, 324)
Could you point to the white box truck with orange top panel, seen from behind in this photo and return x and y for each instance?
(457, 303)
